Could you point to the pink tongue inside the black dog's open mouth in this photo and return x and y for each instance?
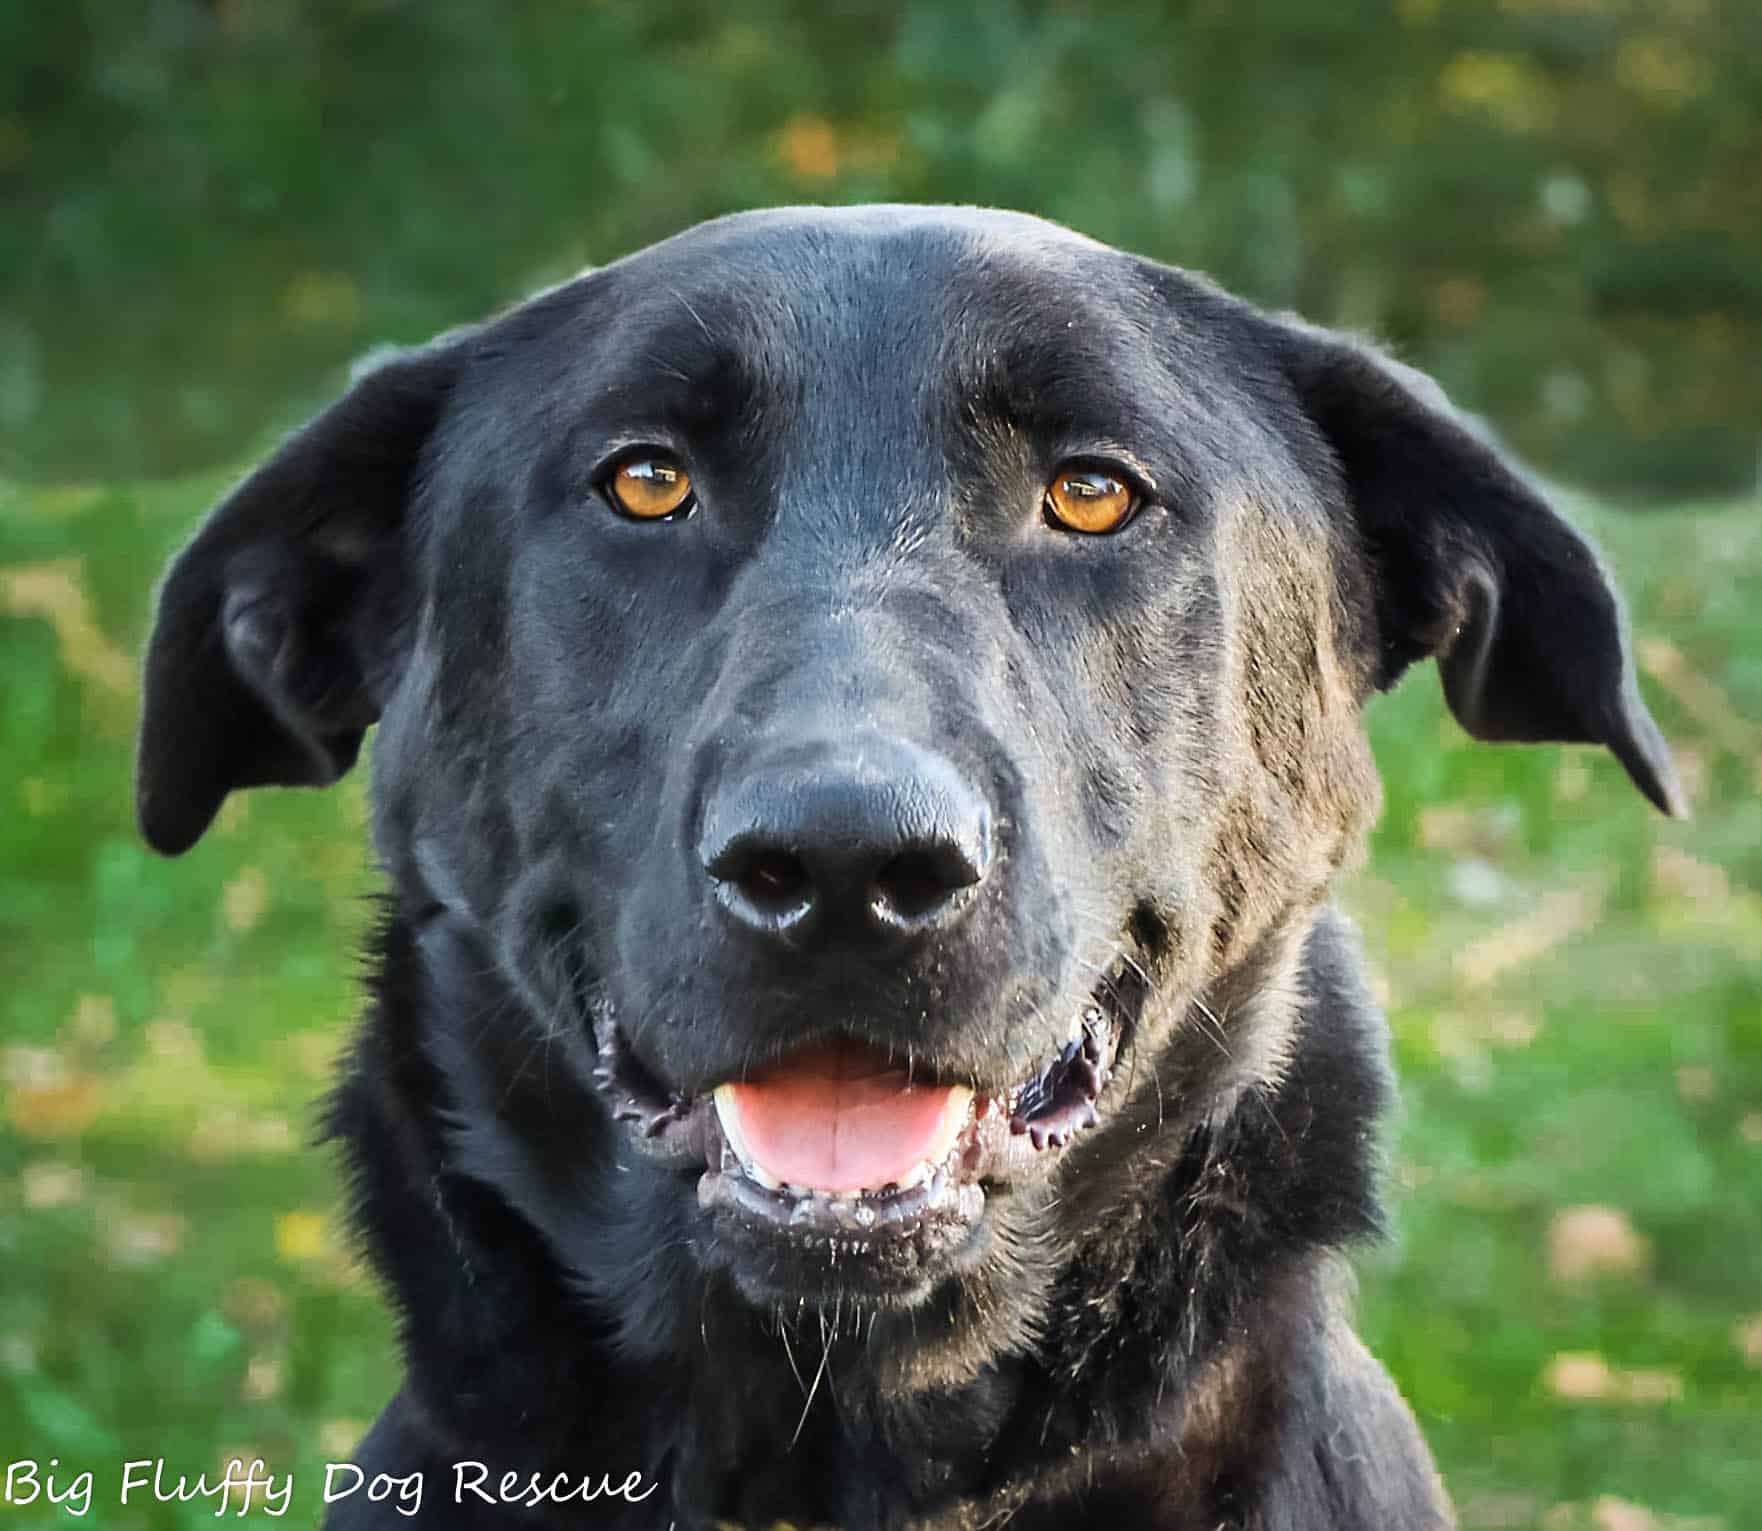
(840, 1118)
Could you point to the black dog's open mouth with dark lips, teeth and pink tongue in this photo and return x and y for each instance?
(838, 1139)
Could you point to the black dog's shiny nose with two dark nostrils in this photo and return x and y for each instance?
(870, 836)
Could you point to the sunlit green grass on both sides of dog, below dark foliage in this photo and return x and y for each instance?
(1576, 989)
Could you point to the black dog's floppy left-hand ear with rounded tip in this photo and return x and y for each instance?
(279, 626)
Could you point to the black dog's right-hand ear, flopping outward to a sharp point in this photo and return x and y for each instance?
(1472, 566)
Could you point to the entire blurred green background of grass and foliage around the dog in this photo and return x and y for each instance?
(1555, 205)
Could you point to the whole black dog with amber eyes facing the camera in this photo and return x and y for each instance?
(870, 713)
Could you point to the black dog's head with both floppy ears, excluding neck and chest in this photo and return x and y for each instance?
(880, 692)
